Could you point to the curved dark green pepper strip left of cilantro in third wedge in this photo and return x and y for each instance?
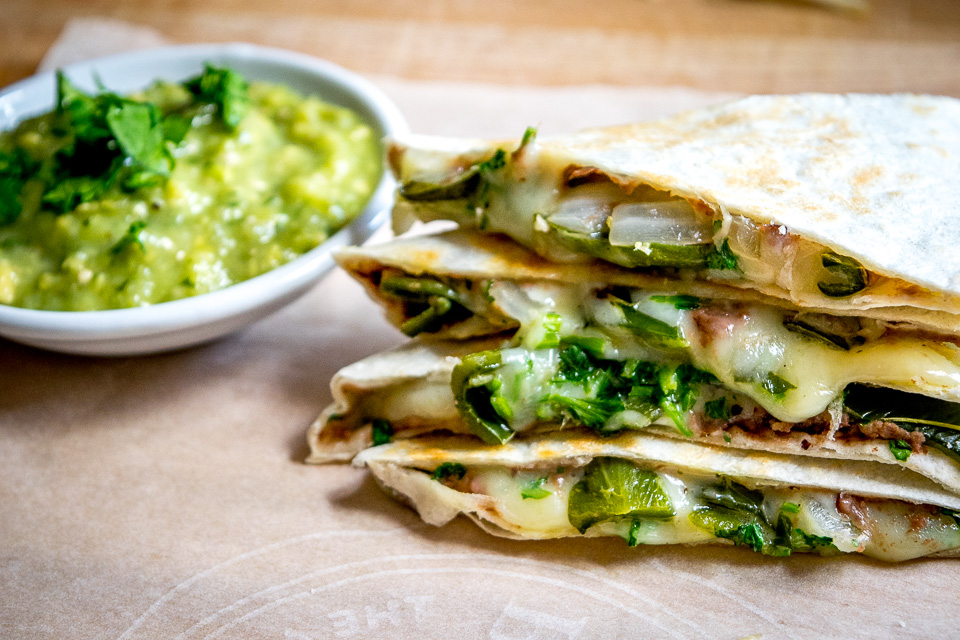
(471, 383)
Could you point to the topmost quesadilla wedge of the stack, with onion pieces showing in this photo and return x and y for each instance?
(827, 201)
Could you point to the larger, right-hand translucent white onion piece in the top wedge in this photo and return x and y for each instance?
(673, 222)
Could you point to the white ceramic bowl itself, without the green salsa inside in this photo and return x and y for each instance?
(181, 323)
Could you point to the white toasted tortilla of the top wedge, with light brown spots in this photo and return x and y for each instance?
(871, 177)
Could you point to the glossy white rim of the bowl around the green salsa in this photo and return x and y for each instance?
(237, 298)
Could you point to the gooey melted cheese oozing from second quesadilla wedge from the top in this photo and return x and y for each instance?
(742, 345)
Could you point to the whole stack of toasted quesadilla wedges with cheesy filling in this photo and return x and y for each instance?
(735, 324)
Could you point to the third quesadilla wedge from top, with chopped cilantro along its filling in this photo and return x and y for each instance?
(406, 394)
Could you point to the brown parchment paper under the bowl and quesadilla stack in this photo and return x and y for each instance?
(165, 496)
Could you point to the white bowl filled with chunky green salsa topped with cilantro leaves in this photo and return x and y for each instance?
(171, 196)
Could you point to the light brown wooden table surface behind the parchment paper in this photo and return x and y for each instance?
(735, 45)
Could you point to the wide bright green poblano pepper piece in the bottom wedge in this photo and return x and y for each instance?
(615, 489)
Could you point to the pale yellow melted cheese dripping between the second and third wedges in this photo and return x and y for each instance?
(754, 347)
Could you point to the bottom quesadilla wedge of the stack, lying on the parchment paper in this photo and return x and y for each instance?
(652, 490)
